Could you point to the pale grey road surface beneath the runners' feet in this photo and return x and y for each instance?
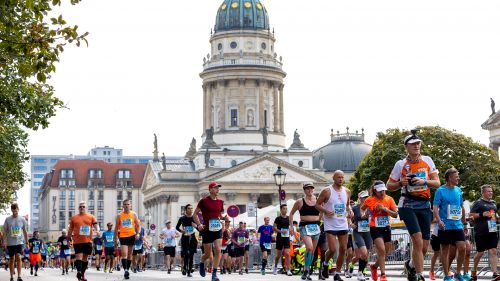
(393, 274)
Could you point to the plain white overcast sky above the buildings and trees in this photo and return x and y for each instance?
(363, 64)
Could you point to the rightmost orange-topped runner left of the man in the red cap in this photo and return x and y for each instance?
(127, 229)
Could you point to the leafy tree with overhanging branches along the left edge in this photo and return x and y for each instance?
(30, 45)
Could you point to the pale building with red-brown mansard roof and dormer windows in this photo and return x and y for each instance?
(101, 184)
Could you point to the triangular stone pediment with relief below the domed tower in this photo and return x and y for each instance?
(261, 170)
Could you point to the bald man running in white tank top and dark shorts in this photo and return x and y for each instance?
(333, 202)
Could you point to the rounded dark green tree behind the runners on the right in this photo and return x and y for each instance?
(476, 163)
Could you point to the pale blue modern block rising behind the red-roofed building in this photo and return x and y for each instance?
(42, 164)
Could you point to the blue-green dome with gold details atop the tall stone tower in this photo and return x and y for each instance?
(241, 14)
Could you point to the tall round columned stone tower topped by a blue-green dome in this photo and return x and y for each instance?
(243, 81)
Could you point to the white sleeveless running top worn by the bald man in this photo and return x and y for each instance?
(336, 203)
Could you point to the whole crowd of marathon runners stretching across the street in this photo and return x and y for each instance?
(332, 228)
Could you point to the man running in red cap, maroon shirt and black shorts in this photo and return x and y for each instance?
(211, 208)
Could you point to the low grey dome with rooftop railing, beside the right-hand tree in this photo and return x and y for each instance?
(344, 152)
